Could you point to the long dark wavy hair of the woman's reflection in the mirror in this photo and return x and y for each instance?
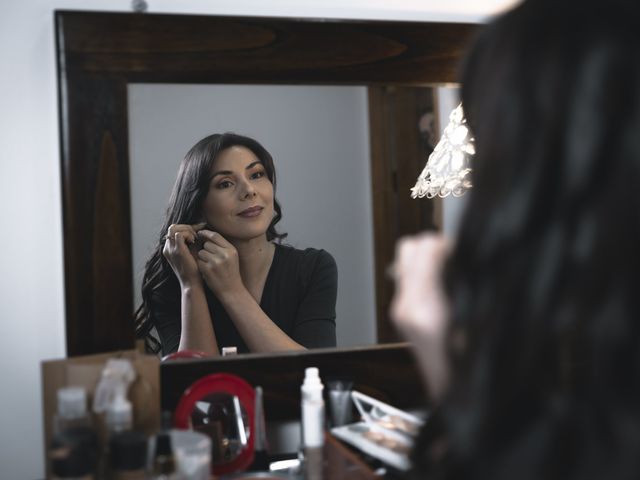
(185, 207)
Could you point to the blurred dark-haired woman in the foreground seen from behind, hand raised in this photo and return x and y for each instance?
(527, 326)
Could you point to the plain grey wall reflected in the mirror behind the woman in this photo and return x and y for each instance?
(320, 139)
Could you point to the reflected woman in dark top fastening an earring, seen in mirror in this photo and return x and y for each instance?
(219, 275)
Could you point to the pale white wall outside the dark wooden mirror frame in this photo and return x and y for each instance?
(31, 288)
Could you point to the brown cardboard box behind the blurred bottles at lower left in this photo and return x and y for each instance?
(144, 392)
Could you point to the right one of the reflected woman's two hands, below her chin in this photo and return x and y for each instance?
(218, 264)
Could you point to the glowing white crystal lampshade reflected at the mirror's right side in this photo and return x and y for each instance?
(447, 170)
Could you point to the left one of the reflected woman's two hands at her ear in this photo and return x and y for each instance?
(180, 251)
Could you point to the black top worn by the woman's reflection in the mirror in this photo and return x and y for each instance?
(299, 296)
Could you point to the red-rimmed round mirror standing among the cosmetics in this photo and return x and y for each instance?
(221, 406)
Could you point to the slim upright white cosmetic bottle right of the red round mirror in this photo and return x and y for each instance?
(312, 409)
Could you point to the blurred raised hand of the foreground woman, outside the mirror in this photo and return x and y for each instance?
(420, 308)
